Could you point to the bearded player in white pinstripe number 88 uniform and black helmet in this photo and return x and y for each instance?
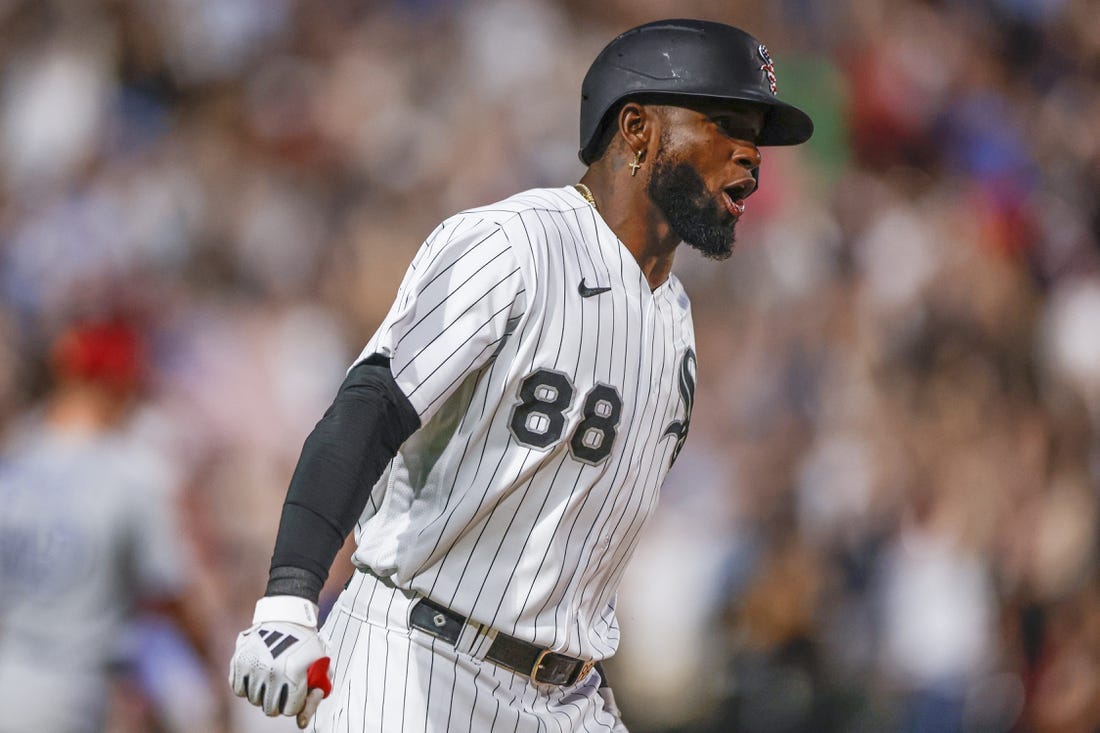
(504, 435)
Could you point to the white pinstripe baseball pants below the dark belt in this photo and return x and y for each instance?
(390, 679)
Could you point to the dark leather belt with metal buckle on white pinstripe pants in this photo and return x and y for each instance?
(542, 666)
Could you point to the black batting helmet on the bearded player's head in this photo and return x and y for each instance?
(687, 59)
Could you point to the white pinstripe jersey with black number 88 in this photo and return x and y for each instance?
(549, 419)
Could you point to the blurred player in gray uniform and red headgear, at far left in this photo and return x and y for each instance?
(89, 532)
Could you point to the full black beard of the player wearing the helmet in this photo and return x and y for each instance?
(681, 195)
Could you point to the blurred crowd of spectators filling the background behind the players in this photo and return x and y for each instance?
(887, 516)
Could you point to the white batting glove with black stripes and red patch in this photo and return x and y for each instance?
(281, 663)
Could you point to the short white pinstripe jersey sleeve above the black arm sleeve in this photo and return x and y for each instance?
(460, 299)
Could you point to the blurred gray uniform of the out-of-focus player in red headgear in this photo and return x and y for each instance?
(86, 529)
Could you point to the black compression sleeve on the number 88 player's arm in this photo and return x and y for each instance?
(340, 463)
